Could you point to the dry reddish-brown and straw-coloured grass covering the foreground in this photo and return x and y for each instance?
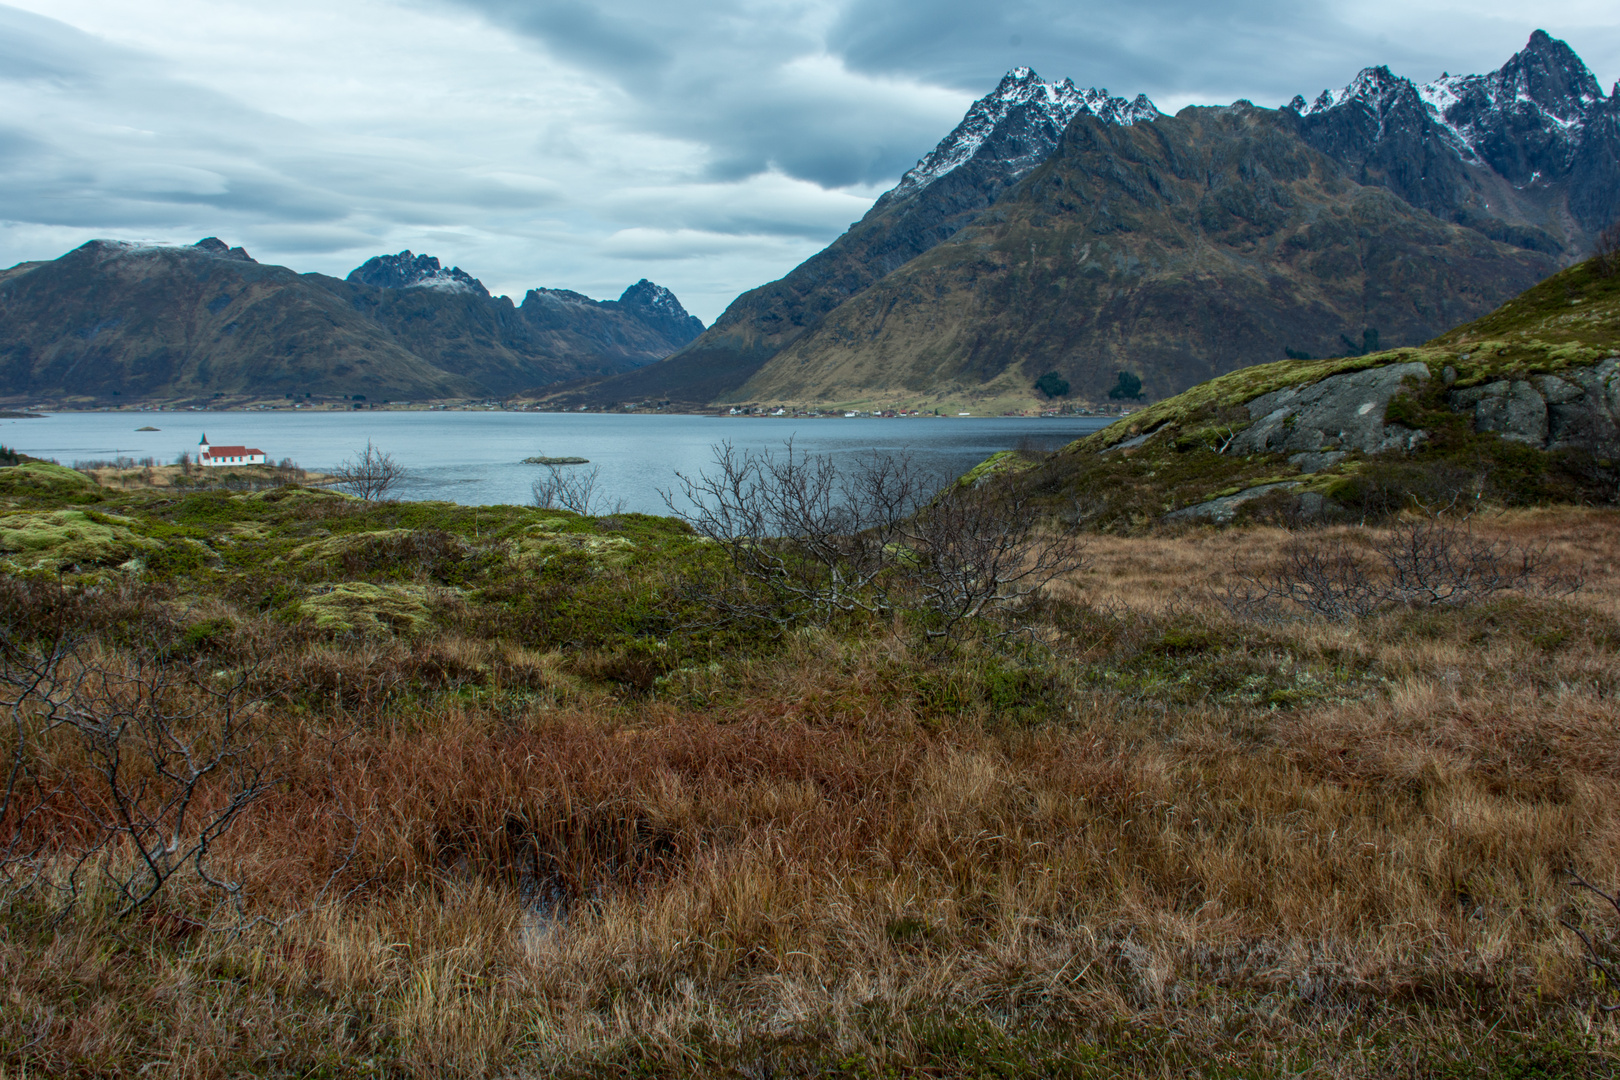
(821, 870)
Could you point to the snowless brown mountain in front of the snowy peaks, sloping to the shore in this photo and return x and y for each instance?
(1179, 250)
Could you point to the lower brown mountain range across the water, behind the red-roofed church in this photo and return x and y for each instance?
(150, 321)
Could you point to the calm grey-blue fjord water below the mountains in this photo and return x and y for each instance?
(475, 457)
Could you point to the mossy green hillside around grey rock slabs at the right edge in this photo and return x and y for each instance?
(1569, 321)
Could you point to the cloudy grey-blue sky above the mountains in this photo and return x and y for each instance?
(706, 145)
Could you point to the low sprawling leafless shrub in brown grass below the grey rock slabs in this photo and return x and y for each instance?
(1418, 563)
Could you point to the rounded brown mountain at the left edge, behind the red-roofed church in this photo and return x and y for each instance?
(148, 323)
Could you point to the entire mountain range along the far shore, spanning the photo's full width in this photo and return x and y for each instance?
(1059, 236)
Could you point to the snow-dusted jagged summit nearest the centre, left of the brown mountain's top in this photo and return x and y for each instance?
(1054, 106)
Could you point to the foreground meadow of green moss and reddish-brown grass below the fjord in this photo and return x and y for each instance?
(307, 786)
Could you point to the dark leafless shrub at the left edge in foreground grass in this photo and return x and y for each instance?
(127, 772)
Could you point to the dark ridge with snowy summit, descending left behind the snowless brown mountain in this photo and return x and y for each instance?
(1002, 138)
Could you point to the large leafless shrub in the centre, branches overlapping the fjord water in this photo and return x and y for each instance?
(808, 540)
